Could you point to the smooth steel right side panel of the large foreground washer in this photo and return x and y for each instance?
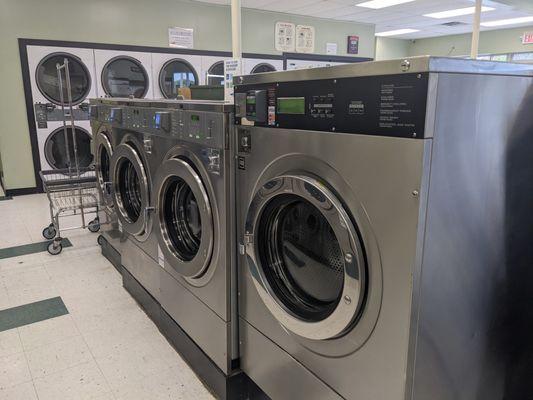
(470, 276)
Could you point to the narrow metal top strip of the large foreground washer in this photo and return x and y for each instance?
(391, 67)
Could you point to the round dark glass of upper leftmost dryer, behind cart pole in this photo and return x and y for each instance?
(48, 84)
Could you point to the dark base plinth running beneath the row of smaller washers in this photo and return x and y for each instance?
(237, 386)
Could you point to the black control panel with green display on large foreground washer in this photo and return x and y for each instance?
(387, 105)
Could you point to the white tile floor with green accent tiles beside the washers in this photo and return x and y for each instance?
(105, 348)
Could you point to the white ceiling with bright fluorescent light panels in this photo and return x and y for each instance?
(408, 15)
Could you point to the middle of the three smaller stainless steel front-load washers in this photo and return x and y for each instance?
(133, 165)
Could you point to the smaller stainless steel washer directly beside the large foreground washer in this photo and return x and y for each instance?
(195, 224)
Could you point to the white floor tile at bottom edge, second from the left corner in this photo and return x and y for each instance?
(82, 382)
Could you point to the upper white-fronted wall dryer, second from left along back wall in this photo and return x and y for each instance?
(123, 74)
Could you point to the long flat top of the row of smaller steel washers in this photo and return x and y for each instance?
(199, 105)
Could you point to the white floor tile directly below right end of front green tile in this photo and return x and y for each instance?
(47, 332)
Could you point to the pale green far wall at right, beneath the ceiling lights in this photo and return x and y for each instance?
(490, 42)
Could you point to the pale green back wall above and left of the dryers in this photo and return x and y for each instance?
(135, 22)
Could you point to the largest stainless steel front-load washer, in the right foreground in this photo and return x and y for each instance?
(373, 225)
